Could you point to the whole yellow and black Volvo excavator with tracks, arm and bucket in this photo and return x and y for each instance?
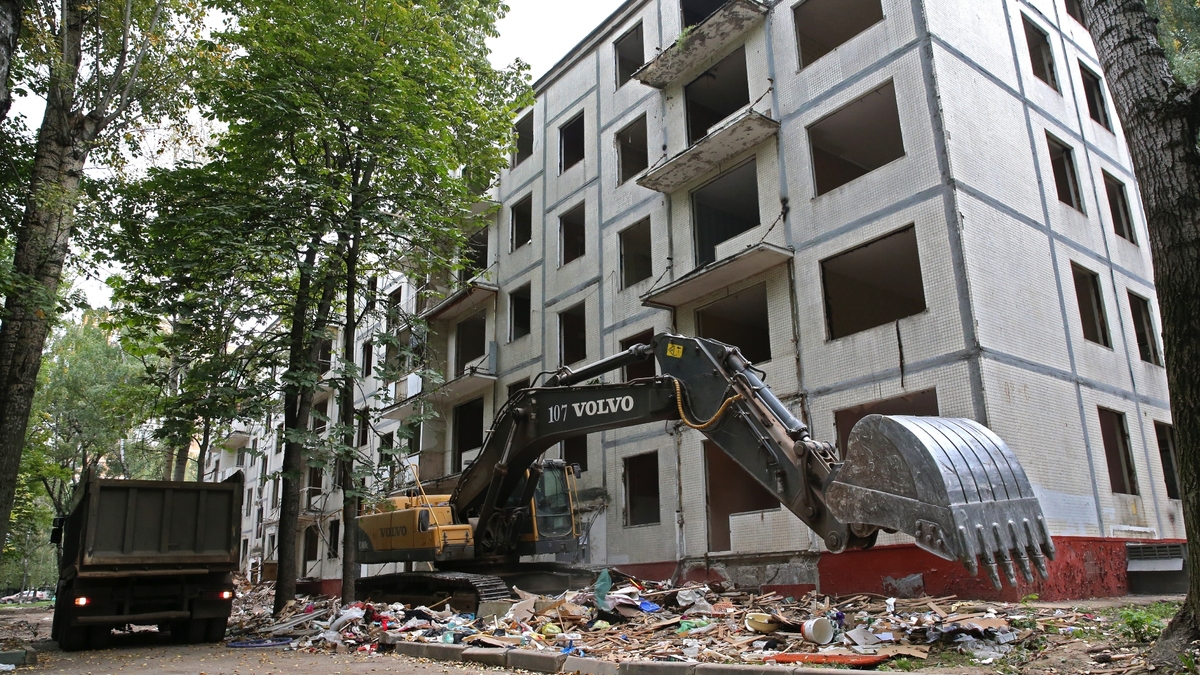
(952, 485)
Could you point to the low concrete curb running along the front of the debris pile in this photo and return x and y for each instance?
(555, 662)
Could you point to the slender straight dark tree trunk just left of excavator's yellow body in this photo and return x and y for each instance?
(350, 501)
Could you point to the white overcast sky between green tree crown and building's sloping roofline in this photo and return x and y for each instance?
(543, 32)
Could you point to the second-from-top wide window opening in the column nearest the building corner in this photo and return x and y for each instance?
(856, 140)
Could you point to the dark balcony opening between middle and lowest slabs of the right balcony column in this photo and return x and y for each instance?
(725, 208)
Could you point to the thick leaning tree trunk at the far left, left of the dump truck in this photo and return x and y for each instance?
(41, 248)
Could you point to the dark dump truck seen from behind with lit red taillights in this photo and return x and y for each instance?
(147, 553)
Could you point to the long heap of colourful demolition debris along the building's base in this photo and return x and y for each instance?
(633, 620)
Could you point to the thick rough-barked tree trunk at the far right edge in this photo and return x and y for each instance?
(1161, 120)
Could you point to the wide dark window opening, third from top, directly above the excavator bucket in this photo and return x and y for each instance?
(874, 285)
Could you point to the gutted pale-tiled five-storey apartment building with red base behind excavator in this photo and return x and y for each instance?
(921, 207)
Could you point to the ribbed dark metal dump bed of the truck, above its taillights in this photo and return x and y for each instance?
(148, 525)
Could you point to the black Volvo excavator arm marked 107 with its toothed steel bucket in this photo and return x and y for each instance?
(952, 485)
